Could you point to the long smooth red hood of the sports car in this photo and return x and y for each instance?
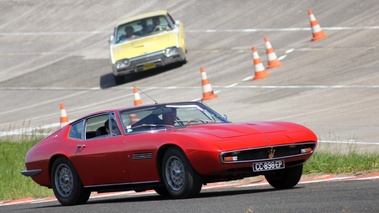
(244, 135)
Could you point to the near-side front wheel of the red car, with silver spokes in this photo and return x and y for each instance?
(180, 179)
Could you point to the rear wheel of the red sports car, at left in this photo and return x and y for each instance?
(67, 186)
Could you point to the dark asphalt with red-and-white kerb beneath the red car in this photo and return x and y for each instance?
(327, 193)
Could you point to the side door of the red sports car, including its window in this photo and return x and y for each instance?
(100, 154)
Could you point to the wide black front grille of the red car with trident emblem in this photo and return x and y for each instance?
(268, 153)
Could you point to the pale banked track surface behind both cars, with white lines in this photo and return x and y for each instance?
(54, 52)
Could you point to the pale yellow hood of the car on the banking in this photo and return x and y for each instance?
(145, 45)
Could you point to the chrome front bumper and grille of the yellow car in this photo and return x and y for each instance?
(149, 61)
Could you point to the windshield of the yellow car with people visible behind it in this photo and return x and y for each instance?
(141, 28)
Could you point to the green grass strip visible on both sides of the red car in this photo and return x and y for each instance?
(13, 185)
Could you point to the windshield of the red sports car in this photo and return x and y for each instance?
(169, 116)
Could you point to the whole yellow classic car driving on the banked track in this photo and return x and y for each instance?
(144, 42)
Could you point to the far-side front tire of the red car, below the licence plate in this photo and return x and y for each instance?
(286, 178)
